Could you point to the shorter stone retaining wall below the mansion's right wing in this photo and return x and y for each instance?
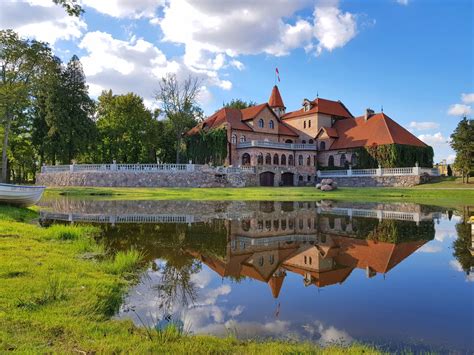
(382, 181)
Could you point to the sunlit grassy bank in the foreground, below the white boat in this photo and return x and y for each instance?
(58, 292)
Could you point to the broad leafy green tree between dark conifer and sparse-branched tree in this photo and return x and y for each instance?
(127, 129)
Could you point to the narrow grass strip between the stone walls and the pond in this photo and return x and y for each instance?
(441, 194)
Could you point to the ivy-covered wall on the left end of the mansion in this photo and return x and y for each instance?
(207, 147)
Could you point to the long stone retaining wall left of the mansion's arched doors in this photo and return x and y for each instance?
(203, 177)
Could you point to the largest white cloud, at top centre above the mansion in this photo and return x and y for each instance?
(212, 32)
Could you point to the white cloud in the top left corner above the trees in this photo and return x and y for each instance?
(41, 20)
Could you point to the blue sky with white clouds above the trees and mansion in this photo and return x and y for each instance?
(413, 58)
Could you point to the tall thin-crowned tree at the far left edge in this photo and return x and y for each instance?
(20, 61)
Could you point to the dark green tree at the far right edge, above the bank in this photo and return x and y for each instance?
(462, 141)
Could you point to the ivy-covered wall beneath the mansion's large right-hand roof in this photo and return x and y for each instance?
(394, 156)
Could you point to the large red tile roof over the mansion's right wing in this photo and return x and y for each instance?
(379, 129)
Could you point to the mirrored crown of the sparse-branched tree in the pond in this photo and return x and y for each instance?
(176, 286)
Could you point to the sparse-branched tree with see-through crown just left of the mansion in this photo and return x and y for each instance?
(179, 104)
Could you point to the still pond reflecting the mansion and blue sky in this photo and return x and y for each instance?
(395, 275)
